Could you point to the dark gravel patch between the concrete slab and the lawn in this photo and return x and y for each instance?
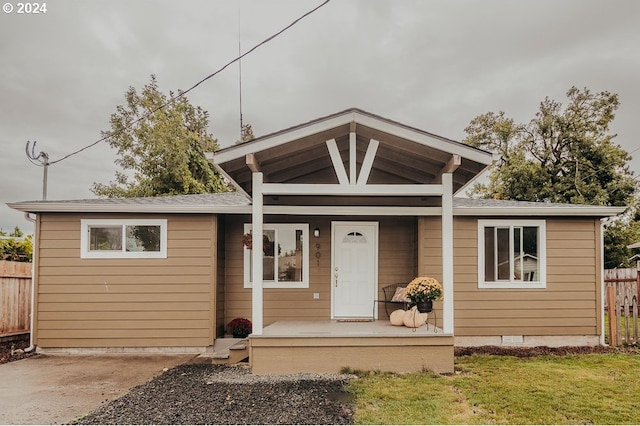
(218, 394)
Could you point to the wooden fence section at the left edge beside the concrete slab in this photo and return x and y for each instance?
(15, 298)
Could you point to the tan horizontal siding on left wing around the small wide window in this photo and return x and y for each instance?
(126, 302)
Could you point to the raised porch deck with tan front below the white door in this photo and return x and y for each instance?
(328, 346)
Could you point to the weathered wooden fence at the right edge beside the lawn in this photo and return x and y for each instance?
(621, 303)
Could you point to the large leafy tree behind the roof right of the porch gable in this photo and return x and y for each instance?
(563, 155)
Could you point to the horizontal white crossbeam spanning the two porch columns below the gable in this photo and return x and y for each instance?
(337, 189)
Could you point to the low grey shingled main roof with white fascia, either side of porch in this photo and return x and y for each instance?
(236, 203)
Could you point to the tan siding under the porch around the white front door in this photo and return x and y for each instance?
(397, 263)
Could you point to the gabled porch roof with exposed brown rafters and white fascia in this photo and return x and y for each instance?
(300, 154)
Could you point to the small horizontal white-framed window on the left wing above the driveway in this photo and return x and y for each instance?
(123, 238)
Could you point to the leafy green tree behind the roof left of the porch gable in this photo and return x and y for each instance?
(161, 152)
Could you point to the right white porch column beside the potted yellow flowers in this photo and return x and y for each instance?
(447, 252)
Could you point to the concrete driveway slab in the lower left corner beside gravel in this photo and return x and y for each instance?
(58, 389)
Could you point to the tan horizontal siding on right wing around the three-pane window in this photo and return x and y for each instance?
(568, 306)
